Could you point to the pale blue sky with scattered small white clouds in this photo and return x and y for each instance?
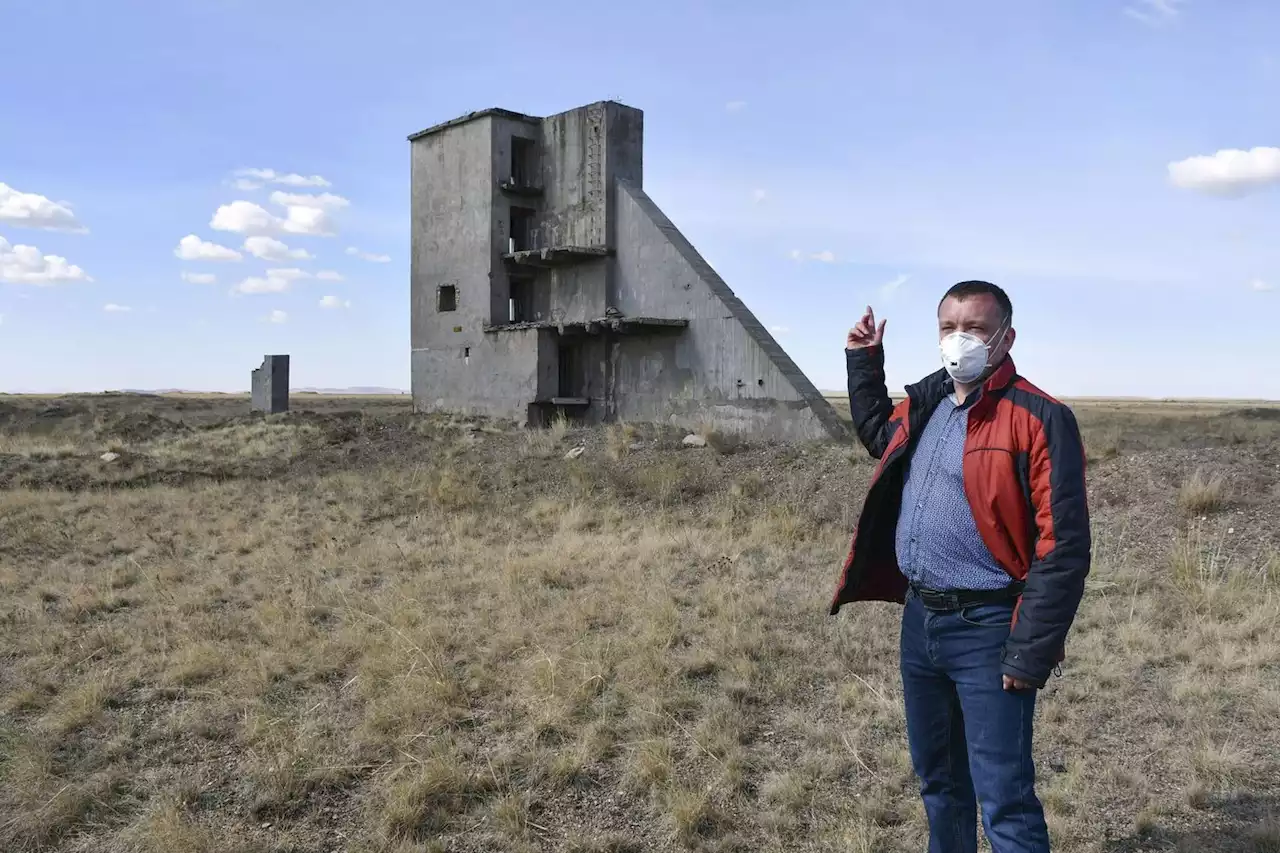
(822, 157)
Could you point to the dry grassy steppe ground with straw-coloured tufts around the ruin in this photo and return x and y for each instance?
(353, 630)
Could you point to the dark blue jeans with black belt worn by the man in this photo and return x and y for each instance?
(971, 740)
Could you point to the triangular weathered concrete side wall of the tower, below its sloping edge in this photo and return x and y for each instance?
(725, 370)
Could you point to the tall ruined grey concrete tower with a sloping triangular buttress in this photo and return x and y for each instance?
(545, 280)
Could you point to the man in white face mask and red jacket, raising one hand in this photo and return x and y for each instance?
(977, 521)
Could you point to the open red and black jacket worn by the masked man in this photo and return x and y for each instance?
(1025, 478)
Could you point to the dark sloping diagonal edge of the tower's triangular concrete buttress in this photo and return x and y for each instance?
(820, 405)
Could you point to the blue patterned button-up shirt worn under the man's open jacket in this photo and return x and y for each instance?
(939, 545)
